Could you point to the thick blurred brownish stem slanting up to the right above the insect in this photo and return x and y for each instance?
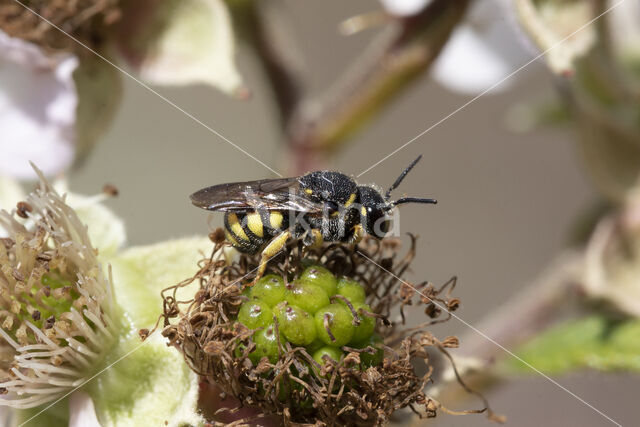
(391, 64)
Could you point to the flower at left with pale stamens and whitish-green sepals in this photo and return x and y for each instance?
(65, 317)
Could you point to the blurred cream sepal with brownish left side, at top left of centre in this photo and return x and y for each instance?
(182, 42)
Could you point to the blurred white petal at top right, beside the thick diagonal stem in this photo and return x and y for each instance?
(482, 52)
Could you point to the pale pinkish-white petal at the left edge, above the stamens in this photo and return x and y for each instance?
(37, 109)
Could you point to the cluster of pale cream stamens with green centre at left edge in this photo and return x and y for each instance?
(57, 313)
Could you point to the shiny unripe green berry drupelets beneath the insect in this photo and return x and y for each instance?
(317, 311)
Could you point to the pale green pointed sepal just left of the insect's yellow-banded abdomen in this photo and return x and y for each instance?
(140, 273)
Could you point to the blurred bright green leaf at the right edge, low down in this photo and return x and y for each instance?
(594, 342)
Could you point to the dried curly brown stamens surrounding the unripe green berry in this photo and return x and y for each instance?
(293, 386)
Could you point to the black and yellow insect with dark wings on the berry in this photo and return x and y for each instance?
(319, 206)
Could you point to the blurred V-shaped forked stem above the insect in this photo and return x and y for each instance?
(392, 62)
